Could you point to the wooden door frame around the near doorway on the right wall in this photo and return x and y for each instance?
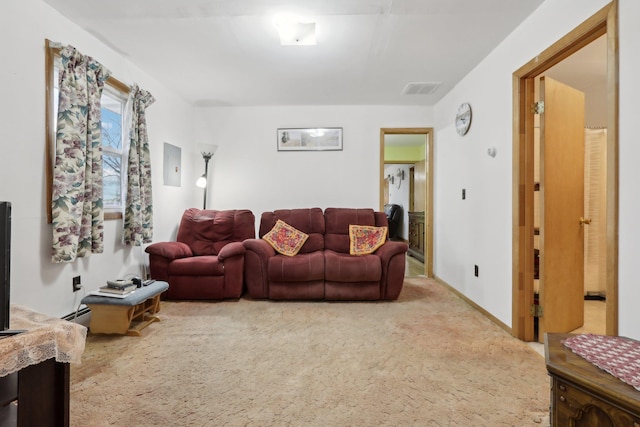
(603, 22)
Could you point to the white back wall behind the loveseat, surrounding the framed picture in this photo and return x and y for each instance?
(248, 172)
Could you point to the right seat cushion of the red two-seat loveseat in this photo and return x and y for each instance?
(347, 268)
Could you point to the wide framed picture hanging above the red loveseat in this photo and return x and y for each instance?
(309, 139)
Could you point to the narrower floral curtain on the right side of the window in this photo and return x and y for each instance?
(138, 213)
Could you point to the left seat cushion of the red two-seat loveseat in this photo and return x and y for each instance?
(300, 268)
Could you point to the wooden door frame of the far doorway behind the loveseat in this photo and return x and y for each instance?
(428, 226)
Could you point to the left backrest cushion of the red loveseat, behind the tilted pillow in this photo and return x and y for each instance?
(308, 220)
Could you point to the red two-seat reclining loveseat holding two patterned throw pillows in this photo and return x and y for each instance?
(323, 268)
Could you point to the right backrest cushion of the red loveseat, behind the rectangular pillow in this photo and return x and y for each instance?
(337, 221)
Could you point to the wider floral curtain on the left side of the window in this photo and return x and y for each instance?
(77, 211)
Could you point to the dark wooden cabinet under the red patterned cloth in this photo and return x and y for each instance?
(583, 395)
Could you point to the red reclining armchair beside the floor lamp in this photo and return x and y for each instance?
(207, 260)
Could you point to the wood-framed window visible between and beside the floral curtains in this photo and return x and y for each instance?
(113, 101)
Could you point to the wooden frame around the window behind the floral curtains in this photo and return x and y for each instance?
(52, 50)
